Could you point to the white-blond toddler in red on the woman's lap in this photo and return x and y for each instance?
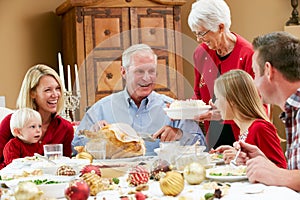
(26, 126)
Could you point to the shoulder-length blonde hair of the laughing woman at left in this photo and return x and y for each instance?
(31, 81)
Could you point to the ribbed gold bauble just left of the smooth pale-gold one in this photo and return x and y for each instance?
(172, 184)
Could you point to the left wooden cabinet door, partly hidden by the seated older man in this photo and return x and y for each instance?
(106, 37)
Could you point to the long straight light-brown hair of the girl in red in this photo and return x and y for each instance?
(238, 88)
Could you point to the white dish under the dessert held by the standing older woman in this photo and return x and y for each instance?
(186, 113)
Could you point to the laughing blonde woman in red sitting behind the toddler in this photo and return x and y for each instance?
(42, 91)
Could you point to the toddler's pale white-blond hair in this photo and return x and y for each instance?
(20, 117)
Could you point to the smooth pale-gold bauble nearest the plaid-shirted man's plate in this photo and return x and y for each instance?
(194, 173)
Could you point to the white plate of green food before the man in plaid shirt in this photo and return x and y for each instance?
(227, 173)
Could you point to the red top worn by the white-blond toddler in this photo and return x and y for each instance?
(15, 148)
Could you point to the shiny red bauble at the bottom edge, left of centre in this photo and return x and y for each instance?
(77, 189)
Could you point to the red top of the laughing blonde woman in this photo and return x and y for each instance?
(60, 131)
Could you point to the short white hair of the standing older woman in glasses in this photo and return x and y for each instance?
(209, 14)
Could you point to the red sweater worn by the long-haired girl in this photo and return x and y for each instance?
(263, 134)
